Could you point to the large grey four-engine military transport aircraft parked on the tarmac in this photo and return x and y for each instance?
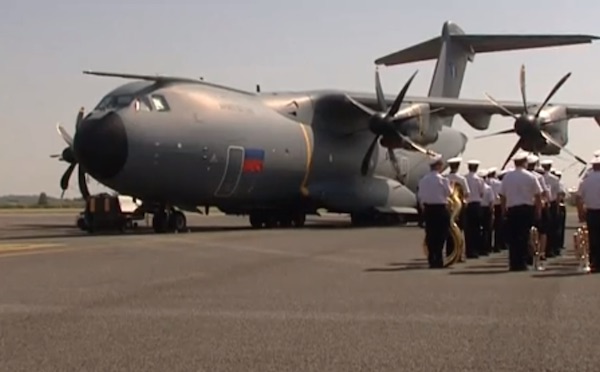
(277, 157)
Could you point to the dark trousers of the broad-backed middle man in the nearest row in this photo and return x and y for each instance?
(519, 220)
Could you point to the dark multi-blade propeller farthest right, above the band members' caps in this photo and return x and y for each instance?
(530, 125)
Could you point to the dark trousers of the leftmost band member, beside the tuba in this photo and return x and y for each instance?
(437, 224)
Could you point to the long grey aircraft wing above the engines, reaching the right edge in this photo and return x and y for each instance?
(453, 106)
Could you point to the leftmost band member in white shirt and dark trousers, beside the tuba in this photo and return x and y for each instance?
(434, 190)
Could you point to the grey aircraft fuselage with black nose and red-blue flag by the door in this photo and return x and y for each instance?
(185, 144)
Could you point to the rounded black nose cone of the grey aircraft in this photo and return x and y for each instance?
(101, 145)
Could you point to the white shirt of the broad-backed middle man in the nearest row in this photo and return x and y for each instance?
(519, 187)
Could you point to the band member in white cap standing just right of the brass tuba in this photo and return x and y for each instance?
(473, 239)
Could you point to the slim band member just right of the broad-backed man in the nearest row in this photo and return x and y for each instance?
(554, 200)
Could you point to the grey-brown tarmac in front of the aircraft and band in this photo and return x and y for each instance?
(224, 297)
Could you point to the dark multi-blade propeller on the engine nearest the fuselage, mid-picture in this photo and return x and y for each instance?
(386, 124)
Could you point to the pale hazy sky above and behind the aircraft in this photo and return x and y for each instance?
(44, 46)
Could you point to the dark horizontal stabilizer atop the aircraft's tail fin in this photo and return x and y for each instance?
(480, 43)
